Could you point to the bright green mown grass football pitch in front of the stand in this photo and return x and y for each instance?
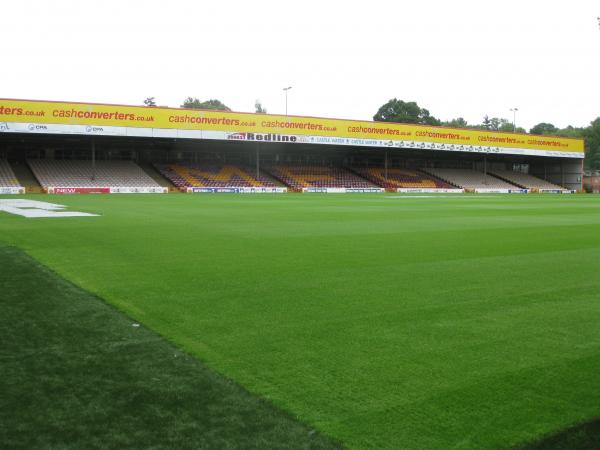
(382, 321)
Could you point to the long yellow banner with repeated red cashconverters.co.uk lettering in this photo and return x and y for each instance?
(266, 126)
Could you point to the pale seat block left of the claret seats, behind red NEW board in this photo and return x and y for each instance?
(78, 173)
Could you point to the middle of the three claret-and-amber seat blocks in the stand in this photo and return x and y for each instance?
(301, 177)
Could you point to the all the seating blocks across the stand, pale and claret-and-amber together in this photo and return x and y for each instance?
(73, 173)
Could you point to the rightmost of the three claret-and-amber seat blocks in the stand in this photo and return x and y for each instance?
(401, 178)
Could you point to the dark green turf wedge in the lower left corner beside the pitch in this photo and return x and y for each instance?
(76, 374)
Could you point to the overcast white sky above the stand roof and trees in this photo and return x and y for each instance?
(343, 59)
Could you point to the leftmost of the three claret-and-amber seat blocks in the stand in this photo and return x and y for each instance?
(213, 176)
